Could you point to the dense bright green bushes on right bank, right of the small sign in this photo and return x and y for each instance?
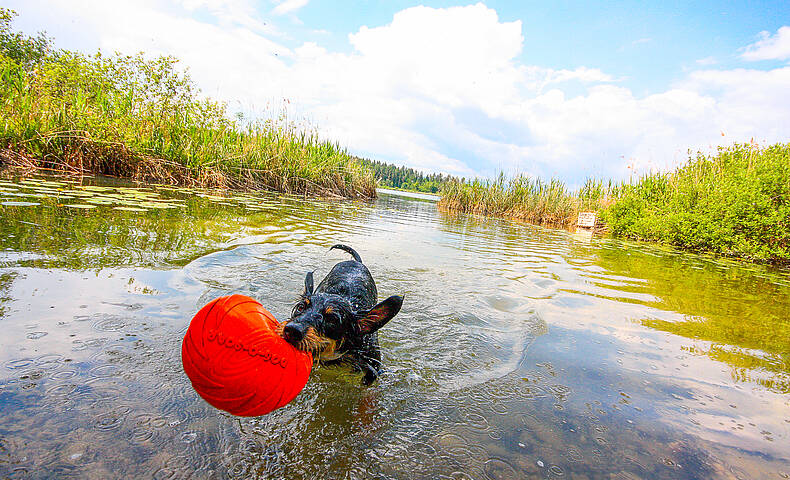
(735, 203)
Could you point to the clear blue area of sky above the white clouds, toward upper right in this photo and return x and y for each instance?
(647, 43)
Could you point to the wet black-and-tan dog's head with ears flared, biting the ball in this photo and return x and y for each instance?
(326, 324)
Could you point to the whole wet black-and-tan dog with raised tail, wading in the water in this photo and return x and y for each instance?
(338, 321)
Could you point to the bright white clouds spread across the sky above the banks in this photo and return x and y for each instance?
(445, 89)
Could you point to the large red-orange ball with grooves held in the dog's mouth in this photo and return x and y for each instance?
(237, 362)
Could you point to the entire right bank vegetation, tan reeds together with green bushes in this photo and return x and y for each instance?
(735, 203)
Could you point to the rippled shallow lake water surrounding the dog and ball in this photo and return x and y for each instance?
(520, 352)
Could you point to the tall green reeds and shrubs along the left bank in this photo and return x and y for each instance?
(139, 118)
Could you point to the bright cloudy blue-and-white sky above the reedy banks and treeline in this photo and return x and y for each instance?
(552, 89)
